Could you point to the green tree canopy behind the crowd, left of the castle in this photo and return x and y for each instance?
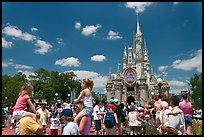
(45, 84)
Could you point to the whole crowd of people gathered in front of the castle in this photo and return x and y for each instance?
(106, 118)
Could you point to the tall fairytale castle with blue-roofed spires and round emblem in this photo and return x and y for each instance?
(136, 82)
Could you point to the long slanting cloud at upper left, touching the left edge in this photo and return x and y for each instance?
(16, 32)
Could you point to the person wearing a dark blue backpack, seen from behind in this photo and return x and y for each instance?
(110, 121)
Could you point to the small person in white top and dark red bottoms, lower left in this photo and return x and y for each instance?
(54, 124)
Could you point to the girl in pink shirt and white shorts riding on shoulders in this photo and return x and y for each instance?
(25, 94)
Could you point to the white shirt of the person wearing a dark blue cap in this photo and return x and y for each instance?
(71, 129)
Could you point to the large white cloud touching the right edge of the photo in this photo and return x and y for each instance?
(189, 64)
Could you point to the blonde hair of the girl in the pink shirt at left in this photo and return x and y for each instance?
(26, 89)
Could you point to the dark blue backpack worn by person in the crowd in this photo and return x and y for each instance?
(109, 121)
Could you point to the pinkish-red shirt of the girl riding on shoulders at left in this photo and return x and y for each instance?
(21, 103)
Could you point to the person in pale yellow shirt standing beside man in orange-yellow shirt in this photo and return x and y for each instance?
(44, 115)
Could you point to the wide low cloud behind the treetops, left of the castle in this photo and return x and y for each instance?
(99, 81)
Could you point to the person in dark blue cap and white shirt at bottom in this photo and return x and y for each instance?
(70, 128)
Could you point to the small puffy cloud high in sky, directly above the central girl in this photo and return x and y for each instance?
(90, 30)
